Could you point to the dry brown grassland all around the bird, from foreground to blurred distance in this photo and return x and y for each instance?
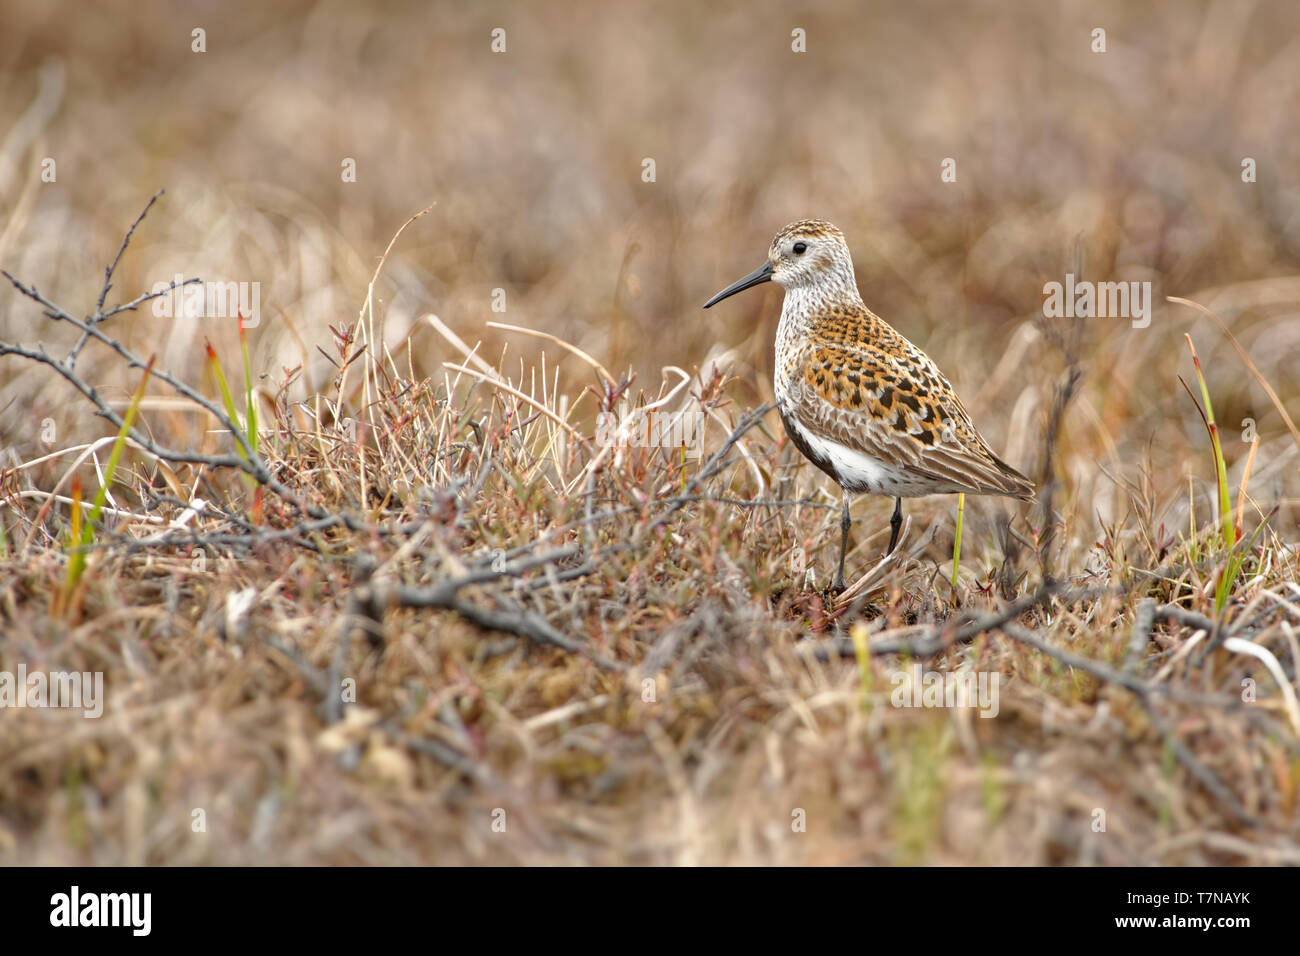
(224, 646)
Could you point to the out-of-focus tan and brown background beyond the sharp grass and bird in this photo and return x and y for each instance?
(1129, 162)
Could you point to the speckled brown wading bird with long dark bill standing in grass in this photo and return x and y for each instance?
(856, 397)
